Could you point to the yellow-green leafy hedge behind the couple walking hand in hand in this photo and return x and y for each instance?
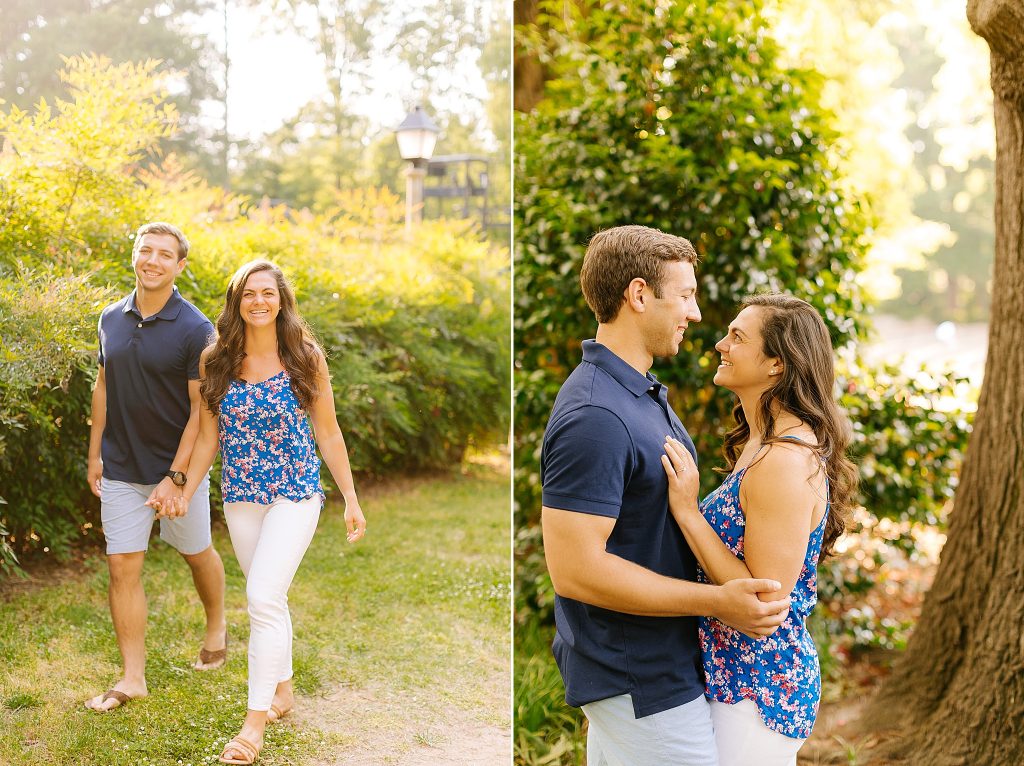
(416, 329)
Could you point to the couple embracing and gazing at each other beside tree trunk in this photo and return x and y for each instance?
(680, 625)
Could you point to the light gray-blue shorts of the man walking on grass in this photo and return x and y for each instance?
(129, 522)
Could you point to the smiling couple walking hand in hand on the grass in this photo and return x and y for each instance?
(170, 393)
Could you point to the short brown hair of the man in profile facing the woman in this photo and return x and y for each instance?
(617, 257)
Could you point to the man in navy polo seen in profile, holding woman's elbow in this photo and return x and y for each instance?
(627, 639)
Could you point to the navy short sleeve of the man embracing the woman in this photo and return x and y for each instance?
(586, 461)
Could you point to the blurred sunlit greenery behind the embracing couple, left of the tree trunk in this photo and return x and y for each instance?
(841, 152)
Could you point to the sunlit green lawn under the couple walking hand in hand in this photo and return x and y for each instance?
(418, 611)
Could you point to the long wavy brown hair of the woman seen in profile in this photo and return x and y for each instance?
(793, 331)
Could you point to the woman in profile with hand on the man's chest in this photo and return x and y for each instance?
(784, 503)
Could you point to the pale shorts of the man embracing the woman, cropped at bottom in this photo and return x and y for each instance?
(679, 737)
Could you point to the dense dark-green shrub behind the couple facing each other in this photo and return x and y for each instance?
(680, 117)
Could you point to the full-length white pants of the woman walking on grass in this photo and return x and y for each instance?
(270, 542)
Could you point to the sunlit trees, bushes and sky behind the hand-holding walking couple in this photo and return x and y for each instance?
(118, 114)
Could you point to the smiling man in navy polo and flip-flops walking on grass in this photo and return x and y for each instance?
(145, 422)
